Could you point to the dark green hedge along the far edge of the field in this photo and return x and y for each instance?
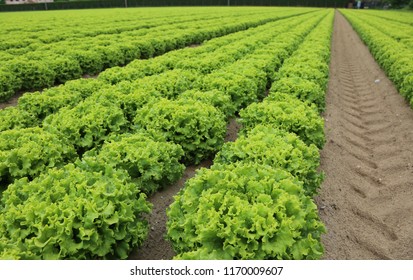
(156, 3)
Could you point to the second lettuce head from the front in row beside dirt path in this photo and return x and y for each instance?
(278, 149)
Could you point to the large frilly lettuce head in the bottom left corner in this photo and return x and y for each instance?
(70, 213)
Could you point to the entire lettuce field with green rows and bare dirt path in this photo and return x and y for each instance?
(206, 133)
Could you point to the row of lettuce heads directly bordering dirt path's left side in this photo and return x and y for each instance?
(255, 200)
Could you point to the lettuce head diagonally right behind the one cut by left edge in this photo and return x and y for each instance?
(86, 125)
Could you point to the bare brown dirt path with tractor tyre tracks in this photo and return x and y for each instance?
(366, 200)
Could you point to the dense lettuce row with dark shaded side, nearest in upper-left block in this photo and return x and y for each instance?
(34, 68)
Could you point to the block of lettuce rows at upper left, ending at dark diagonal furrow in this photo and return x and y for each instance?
(95, 40)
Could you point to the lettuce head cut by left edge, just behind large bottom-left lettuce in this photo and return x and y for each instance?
(30, 151)
